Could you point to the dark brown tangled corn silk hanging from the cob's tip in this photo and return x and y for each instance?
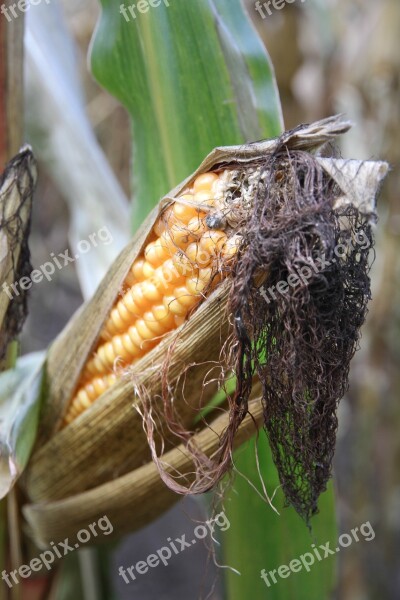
(299, 342)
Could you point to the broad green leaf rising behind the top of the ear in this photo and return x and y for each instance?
(193, 76)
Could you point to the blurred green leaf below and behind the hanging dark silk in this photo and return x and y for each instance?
(259, 538)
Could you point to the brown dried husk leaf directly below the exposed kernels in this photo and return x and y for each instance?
(107, 440)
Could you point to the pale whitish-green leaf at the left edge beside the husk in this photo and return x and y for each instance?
(19, 414)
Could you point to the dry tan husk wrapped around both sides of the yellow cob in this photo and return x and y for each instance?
(81, 472)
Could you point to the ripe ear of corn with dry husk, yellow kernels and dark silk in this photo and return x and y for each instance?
(288, 236)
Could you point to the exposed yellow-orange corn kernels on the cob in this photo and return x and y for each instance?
(185, 257)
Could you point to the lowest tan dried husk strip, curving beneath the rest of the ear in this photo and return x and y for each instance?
(135, 499)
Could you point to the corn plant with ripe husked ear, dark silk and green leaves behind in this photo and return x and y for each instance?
(235, 219)
